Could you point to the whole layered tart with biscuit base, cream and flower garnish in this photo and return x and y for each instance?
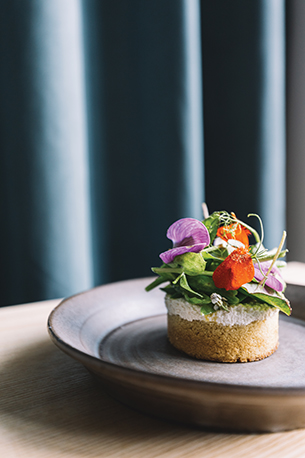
(223, 294)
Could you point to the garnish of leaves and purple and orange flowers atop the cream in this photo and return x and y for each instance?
(213, 265)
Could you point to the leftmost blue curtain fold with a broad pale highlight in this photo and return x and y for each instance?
(45, 226)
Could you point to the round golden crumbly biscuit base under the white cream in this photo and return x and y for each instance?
(216, 342)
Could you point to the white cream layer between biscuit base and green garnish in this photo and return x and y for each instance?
(241, 314)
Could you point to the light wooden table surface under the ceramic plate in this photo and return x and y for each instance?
(51, 407)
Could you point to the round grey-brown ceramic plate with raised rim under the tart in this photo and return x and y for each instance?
(118, 332)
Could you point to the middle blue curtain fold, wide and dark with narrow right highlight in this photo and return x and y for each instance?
(145, 128)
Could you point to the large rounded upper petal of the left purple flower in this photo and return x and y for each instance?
(187, 232)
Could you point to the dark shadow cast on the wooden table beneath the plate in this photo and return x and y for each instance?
(43, 389)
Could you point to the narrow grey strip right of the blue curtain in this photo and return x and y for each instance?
(295, 129)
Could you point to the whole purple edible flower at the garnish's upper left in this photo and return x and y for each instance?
(188, 235)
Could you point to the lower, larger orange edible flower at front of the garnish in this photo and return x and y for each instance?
(236, 270)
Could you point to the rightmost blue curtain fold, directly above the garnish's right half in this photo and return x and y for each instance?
(244, 109)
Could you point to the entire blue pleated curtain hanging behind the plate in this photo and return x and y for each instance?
(102, 132)
